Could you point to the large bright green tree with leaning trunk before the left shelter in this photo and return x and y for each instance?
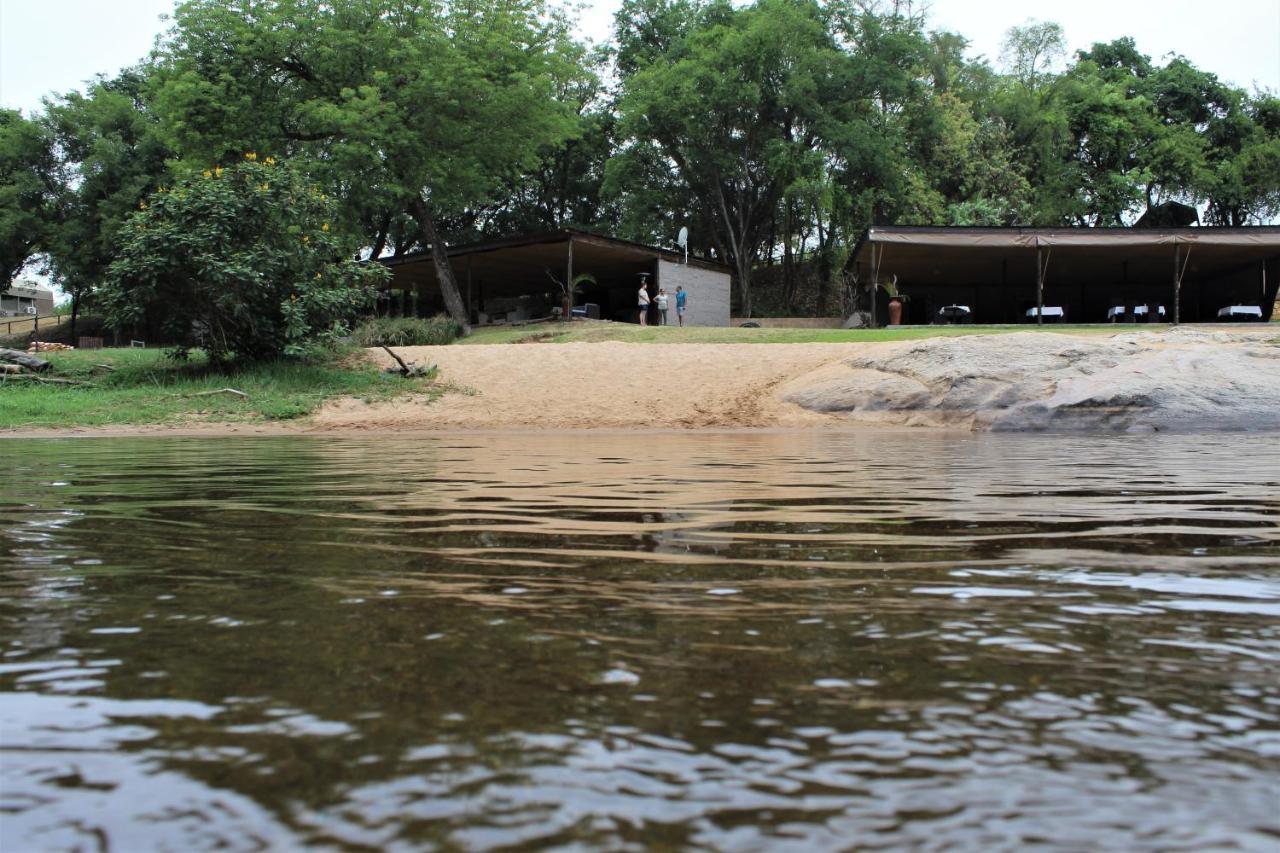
(426, 110)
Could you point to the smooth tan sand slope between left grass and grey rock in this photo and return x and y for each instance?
(602, 386)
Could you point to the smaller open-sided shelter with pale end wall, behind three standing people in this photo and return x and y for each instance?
(519, 279)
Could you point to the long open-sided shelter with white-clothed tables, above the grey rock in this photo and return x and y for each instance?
(1092, 275)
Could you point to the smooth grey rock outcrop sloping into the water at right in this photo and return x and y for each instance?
(1183, 380)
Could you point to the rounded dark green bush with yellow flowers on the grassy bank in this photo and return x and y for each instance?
(240, 261)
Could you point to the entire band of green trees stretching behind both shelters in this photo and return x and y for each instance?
(775, 130)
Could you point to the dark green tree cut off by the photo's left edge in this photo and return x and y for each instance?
(29, 191)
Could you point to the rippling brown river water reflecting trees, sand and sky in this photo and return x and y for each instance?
(624, 641)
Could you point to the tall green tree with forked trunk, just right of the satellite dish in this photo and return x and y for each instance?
(737, 102)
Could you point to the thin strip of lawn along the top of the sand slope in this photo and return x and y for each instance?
(632, 334)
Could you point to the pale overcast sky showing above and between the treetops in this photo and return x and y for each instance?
(56, 45)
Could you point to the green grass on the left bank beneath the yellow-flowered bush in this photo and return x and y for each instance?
(144, 387)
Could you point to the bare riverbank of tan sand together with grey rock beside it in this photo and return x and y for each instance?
(1174, 380)
